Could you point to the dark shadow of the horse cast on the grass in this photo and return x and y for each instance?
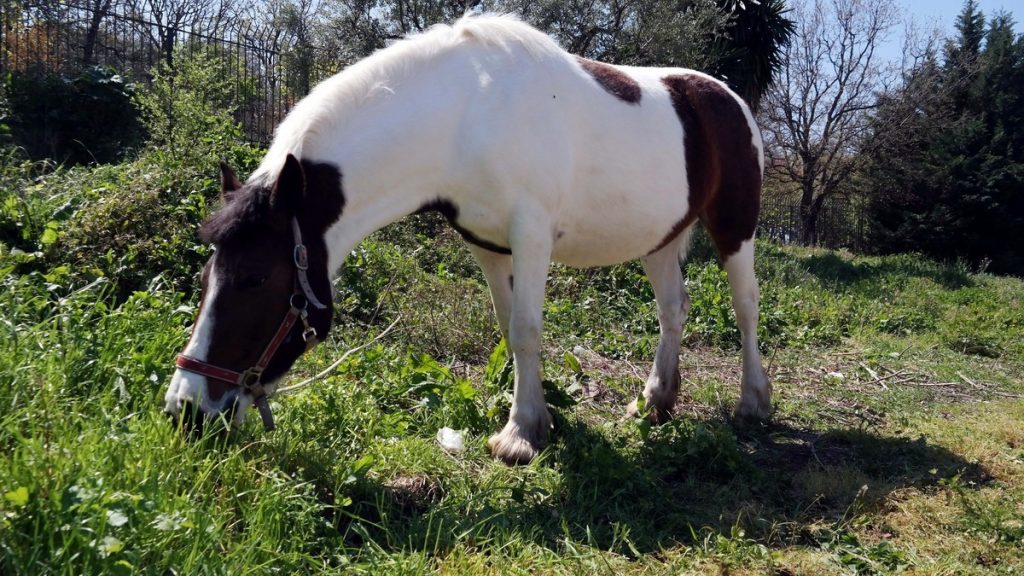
(690, 479)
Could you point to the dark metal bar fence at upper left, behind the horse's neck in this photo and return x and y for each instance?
(268, 65)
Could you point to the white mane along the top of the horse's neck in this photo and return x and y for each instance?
(334, 100)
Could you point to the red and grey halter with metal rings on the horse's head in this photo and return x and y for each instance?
(251, 380)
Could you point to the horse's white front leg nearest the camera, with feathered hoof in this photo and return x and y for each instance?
(527, 431)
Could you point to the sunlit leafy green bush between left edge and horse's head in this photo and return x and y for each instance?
(138, 221)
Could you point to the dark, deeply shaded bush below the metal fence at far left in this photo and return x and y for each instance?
(87, 118)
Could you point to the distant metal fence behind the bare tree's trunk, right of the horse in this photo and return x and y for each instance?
(841, 224)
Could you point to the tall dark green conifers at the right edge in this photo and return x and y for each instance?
(951, 183)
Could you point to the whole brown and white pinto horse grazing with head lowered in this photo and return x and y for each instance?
(532, 154)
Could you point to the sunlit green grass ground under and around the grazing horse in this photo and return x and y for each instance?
(898, 444)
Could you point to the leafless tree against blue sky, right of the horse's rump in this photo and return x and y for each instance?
(818, 117)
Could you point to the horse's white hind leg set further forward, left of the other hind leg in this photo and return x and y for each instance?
(666, 278)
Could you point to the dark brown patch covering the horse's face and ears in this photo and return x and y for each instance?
(255, 270)
